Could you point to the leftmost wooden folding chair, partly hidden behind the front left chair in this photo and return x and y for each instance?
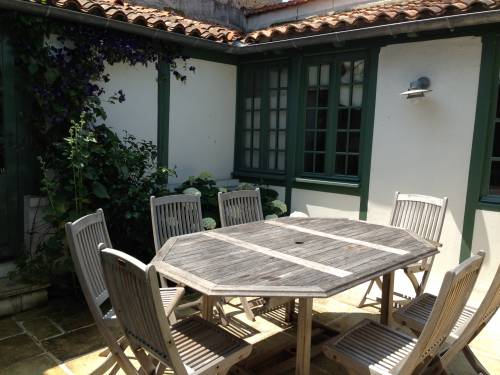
(84, 237)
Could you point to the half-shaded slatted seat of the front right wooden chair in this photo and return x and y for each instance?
(370, 348)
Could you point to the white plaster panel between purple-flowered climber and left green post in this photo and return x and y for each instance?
(139, 113)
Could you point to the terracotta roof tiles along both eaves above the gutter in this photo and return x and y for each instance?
(368, 15)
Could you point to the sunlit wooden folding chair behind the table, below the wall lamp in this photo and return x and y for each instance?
(424, 216)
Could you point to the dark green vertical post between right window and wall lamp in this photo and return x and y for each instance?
(367, 134)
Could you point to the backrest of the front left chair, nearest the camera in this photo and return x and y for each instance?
(135, 295)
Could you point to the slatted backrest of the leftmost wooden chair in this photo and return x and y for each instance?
(84, 236)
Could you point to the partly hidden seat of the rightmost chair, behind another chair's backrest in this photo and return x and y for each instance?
(415, 313)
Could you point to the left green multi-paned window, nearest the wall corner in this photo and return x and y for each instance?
(262, 119)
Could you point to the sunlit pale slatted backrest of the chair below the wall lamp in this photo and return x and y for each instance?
(422, 214)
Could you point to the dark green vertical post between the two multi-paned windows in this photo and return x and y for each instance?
(294, 88)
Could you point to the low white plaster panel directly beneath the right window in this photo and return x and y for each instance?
(322, 204)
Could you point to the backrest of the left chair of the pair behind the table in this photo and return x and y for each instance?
(175, 215)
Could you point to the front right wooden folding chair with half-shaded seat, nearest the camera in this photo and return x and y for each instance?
(371, 348)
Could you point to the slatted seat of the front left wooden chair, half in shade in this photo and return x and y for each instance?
(202, 345)
